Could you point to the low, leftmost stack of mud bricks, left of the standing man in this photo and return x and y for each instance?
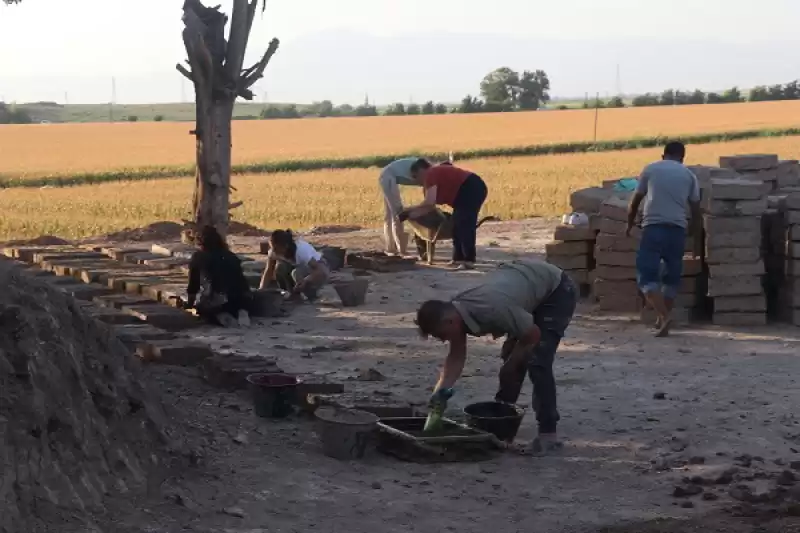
(573, 251)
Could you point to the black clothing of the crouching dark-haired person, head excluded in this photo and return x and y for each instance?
(217, 285)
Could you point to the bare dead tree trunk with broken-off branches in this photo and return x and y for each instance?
(218, 77)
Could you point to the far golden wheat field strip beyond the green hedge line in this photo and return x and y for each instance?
(66, 149)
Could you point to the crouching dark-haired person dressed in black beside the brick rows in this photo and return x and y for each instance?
(217, 287)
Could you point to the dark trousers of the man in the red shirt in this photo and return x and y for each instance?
(466, 207)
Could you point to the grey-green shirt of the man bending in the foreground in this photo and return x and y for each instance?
(505, 302)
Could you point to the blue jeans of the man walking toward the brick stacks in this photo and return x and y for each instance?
(661, 242)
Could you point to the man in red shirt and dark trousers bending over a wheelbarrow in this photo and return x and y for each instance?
(462, 190)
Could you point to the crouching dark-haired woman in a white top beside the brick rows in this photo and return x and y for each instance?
(294, 266)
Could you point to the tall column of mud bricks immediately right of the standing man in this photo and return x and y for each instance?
(733, 242)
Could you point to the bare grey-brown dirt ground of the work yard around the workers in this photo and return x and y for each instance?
(726, 395)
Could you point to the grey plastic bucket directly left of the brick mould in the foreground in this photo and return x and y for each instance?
(345, 433)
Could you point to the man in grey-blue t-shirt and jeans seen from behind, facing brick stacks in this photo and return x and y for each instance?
(671, 194)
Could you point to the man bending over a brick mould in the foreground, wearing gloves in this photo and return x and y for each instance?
(529, 302)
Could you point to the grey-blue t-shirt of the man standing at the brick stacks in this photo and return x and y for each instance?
(668, 187)
